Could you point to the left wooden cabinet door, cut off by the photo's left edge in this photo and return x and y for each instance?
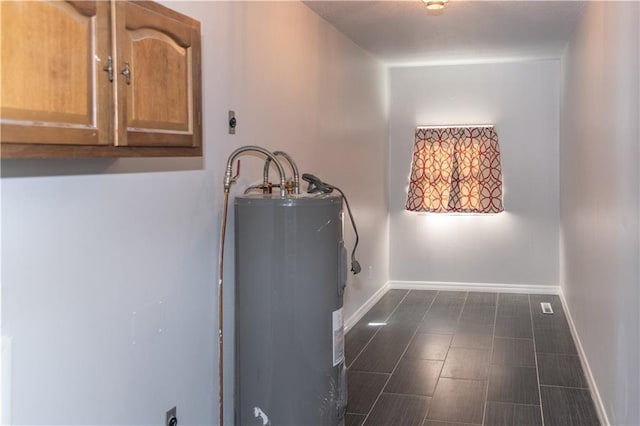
(53, 89)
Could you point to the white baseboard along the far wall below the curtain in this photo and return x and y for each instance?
(482, 287)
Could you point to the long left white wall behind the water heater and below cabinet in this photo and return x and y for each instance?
(98, 256)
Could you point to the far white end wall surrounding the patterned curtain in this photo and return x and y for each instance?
(519, 246)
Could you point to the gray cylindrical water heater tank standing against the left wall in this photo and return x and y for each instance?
(291, 268)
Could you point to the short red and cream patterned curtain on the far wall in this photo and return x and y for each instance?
(455, 169)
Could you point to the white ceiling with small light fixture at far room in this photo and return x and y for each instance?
(405, 33)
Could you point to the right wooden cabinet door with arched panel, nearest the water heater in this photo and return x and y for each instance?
(158, 85)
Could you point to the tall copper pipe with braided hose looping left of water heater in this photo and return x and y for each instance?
(228, 181)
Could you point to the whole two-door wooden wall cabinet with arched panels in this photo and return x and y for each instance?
(98, 79)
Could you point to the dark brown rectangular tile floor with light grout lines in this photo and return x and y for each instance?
(439, 358)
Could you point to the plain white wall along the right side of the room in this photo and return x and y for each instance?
(599, 208)
